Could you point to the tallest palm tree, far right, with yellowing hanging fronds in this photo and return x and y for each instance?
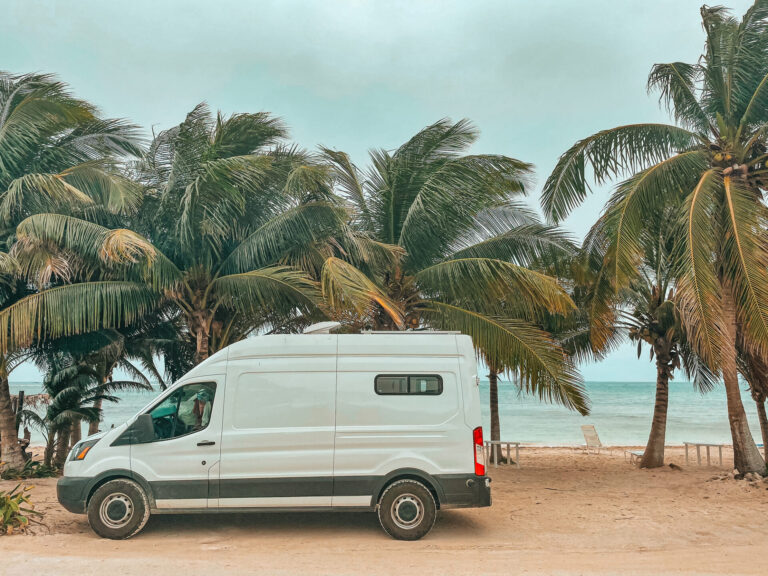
(711, 166)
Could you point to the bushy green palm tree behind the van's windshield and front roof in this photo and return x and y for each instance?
(236, 232)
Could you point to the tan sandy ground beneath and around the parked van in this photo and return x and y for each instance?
(563, 513)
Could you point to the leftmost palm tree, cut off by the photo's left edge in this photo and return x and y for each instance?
(56, 155)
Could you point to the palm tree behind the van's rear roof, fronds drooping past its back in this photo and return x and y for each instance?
(466, 240)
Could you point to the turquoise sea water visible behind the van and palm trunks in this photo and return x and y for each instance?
(621, 413)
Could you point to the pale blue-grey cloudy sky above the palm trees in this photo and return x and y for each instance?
(533, 76)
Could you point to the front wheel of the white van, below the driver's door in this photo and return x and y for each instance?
(118, 509)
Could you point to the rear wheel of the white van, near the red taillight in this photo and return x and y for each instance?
(407, 510)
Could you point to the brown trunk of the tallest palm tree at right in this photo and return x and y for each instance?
(746, 456)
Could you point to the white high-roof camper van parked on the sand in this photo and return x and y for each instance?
(387, 422)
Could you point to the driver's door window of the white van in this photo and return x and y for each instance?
(186, 410)
